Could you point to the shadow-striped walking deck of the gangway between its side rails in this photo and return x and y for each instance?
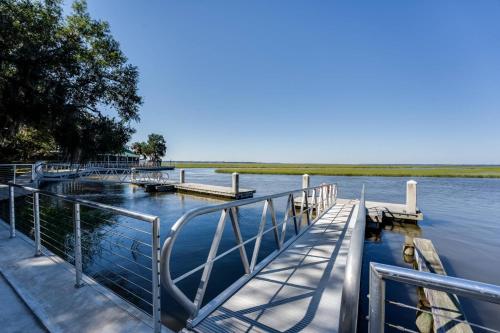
(300, 290)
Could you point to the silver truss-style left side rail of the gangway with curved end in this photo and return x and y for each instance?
(323, 197)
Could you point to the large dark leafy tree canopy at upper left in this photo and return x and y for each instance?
(64, 77)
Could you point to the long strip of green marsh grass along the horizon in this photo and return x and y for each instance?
(465, 171)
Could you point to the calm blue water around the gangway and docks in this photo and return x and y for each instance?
(460, 217)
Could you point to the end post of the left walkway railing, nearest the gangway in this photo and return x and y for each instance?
(155, 255)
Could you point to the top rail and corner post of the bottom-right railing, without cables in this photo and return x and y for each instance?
(381, 272)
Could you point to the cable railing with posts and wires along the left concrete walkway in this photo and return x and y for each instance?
(117, 247)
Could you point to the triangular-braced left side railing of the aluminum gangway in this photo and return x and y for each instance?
(303, 208)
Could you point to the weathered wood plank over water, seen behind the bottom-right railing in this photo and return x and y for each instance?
(443, 306)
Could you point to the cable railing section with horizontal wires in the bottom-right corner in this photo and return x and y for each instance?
(380, 273)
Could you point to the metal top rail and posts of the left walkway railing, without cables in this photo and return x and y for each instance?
(154, 221)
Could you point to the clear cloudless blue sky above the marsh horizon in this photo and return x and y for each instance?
(316, 81)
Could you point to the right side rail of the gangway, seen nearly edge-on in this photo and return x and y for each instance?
(350, 290)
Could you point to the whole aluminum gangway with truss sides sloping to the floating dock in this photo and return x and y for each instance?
(309, 283)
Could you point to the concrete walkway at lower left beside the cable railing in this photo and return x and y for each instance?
(46, 284)
